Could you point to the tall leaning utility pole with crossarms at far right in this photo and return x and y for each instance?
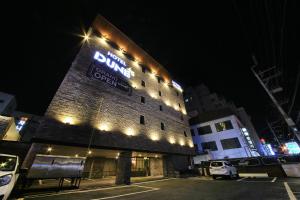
(288, 120)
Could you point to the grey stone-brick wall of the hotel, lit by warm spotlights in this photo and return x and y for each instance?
(112, 116)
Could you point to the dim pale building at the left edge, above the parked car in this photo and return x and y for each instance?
(7, 104)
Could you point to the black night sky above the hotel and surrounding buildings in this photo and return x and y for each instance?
(208, 42)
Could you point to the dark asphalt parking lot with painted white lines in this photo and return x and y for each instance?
(189, 189)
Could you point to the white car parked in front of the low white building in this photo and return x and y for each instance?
(222, 169)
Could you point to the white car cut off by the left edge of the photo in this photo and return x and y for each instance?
(8, 174)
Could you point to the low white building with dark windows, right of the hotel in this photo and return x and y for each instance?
(224, 137)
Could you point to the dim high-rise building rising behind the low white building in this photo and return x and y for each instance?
(200, 102)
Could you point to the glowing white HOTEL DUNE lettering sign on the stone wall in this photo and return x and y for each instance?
(114, 62)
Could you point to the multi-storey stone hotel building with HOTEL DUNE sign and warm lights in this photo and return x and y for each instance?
(118, 107)
